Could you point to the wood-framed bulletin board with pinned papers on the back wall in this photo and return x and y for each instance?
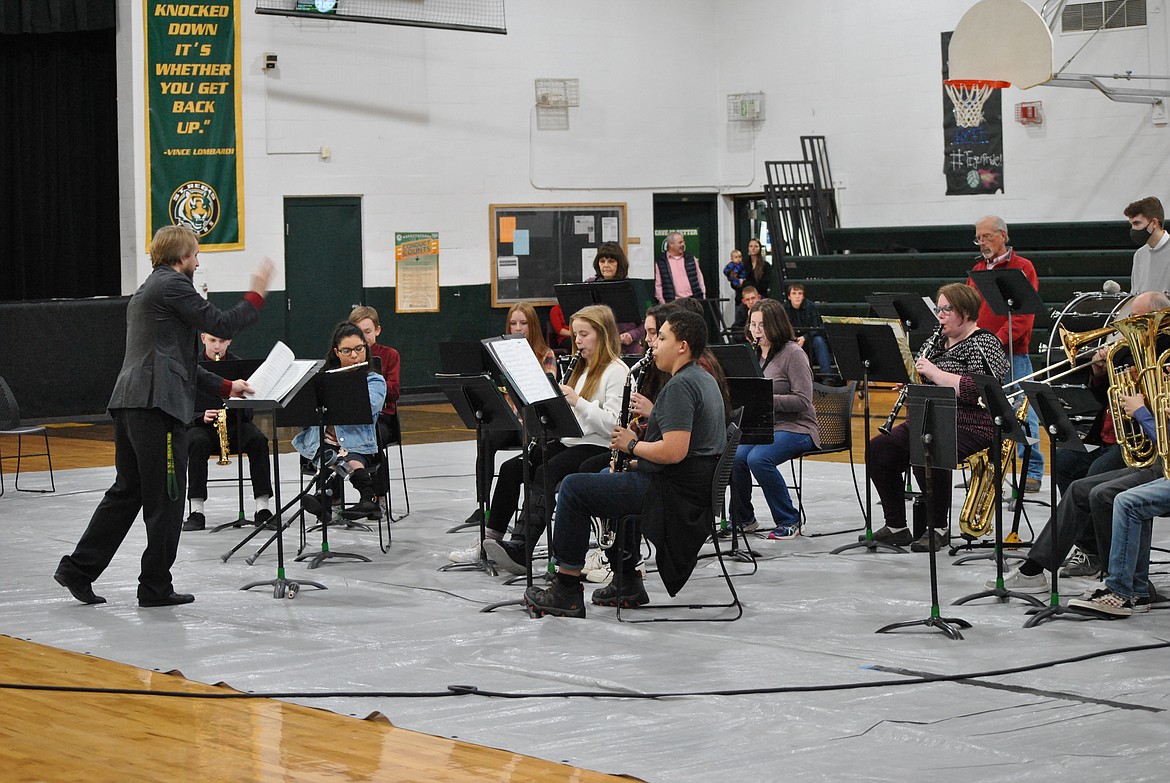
(536, 246)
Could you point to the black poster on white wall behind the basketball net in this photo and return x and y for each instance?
(973, 157)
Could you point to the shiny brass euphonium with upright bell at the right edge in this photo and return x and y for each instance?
(1140, 334)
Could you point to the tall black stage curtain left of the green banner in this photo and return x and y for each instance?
(59, 150)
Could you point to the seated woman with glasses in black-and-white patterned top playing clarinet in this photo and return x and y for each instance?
(959, 351)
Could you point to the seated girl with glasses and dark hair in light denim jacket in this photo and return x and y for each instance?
(359, 443)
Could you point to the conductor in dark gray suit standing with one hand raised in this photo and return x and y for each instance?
(152, 402)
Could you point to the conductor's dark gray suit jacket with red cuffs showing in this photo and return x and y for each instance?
(163, 324)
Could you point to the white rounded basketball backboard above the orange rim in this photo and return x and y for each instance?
(1002, 42)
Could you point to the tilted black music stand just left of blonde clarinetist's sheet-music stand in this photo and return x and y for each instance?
(481, 408)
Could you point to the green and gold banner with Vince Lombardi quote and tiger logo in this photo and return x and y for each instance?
(195, 162)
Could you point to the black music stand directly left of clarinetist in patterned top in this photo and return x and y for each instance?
(868, 353)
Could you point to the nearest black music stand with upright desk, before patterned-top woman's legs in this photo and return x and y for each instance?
(931, 411)
